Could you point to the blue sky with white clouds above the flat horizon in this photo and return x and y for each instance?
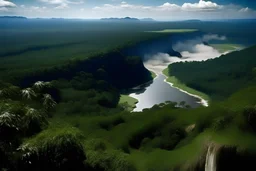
(157, 9)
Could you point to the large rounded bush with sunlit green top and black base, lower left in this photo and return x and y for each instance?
(54, 149)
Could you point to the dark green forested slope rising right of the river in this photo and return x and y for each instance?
(219, 77)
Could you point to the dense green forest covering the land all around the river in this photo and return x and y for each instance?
(65, 114)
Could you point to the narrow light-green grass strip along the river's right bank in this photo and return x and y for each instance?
(180, 85)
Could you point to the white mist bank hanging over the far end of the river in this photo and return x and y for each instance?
(191, 50)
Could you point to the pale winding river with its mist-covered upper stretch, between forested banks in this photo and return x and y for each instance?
(159, 91)
